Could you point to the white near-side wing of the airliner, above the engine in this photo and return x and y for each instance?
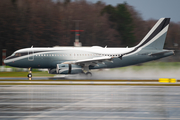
(92, 61)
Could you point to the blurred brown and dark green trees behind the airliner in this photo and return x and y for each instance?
(47, 23)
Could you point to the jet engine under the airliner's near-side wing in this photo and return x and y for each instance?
(66, 69)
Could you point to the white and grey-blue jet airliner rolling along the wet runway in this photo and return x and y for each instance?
(75, 60)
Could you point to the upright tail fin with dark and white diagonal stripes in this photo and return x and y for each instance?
(156, 36)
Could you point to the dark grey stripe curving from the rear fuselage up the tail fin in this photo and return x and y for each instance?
(163, 24)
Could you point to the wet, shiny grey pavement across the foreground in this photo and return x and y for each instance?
(68, 102)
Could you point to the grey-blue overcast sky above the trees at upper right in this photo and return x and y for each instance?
(152, 9)
